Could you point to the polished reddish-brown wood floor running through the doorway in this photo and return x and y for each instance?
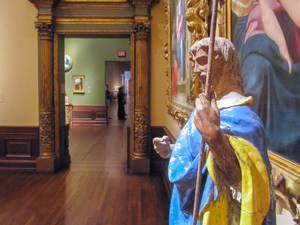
(96, 189)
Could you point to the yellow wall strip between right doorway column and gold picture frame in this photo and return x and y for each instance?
(159, 66)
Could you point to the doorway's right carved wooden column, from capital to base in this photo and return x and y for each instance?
(140, 161)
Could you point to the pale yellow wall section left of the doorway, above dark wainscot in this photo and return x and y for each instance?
(18, 64)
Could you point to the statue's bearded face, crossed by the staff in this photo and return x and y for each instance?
(201, 68)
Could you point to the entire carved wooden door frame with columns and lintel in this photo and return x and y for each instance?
(61, 18)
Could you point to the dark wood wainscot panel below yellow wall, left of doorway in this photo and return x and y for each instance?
(19, 147)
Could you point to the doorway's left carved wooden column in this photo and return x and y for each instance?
(47, 160)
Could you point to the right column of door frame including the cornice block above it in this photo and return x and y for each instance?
(140, 125)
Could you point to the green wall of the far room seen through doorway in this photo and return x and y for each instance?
(89, 56)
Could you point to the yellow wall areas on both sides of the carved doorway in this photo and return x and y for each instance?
(19, 66)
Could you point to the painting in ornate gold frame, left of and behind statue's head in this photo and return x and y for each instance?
(183, 31)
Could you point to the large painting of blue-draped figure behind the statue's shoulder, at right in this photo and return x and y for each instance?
(270, 66)
